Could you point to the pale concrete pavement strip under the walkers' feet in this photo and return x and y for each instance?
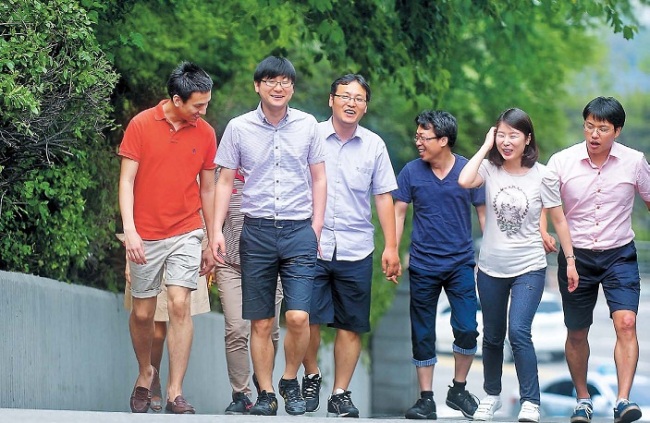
(10, 415)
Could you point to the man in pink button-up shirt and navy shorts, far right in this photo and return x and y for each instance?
(598, 181)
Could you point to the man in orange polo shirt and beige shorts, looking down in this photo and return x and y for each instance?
(163, 151)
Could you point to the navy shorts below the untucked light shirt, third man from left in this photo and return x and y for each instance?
(341, 294)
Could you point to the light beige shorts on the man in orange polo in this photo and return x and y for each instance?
(177, 258)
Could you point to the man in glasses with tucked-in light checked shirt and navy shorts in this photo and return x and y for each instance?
(281, 158)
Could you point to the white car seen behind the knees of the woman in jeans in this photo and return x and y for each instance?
(549, 332)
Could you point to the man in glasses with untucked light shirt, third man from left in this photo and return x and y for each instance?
(358, 167)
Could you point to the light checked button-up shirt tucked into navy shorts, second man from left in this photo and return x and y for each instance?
(274, 161)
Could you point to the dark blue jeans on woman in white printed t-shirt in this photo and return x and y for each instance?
(523, 292)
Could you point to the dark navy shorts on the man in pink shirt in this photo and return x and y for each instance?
(616, 269)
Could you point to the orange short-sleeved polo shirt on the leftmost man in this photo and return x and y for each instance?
(166, 191)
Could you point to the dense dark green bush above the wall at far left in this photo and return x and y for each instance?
(55, 85)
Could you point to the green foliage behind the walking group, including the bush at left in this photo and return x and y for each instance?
(58, 176)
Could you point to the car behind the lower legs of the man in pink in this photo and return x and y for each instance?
(558, 396)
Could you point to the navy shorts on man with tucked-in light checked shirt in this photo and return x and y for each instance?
(269, 248)
